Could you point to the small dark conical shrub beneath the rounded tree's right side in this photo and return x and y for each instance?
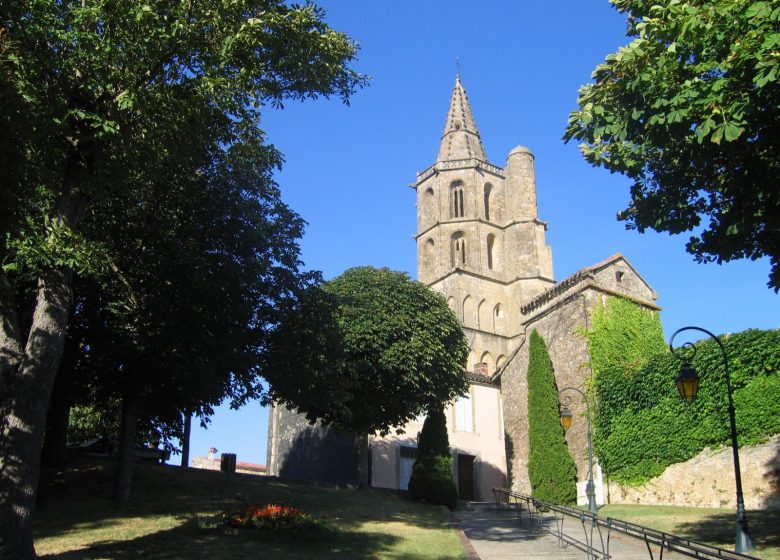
(432, 480)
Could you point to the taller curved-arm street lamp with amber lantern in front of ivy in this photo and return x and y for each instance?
(688, 385)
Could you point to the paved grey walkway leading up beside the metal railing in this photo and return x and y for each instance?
(497, 535)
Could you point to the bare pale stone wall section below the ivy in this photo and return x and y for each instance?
(707, 480)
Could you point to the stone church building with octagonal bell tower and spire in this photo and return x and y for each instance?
(481, 243)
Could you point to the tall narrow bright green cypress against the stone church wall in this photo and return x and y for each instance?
(550, 467)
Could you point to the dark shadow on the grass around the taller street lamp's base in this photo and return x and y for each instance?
(721, 528)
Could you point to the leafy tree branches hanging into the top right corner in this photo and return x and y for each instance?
(689, 111)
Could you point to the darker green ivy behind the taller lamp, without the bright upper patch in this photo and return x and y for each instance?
(648, 427)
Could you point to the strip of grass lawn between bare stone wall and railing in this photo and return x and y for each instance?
(713, 526)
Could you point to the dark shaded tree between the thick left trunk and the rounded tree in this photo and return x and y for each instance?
(207, 259)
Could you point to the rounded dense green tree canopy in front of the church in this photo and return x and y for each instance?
(366, 352)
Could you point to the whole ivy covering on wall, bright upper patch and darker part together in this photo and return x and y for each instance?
(642, 426)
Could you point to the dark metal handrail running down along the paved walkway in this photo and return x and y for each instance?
(663, 540)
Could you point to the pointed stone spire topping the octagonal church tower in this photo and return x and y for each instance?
(461, 138)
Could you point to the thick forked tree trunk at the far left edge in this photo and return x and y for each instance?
(28, 376)
